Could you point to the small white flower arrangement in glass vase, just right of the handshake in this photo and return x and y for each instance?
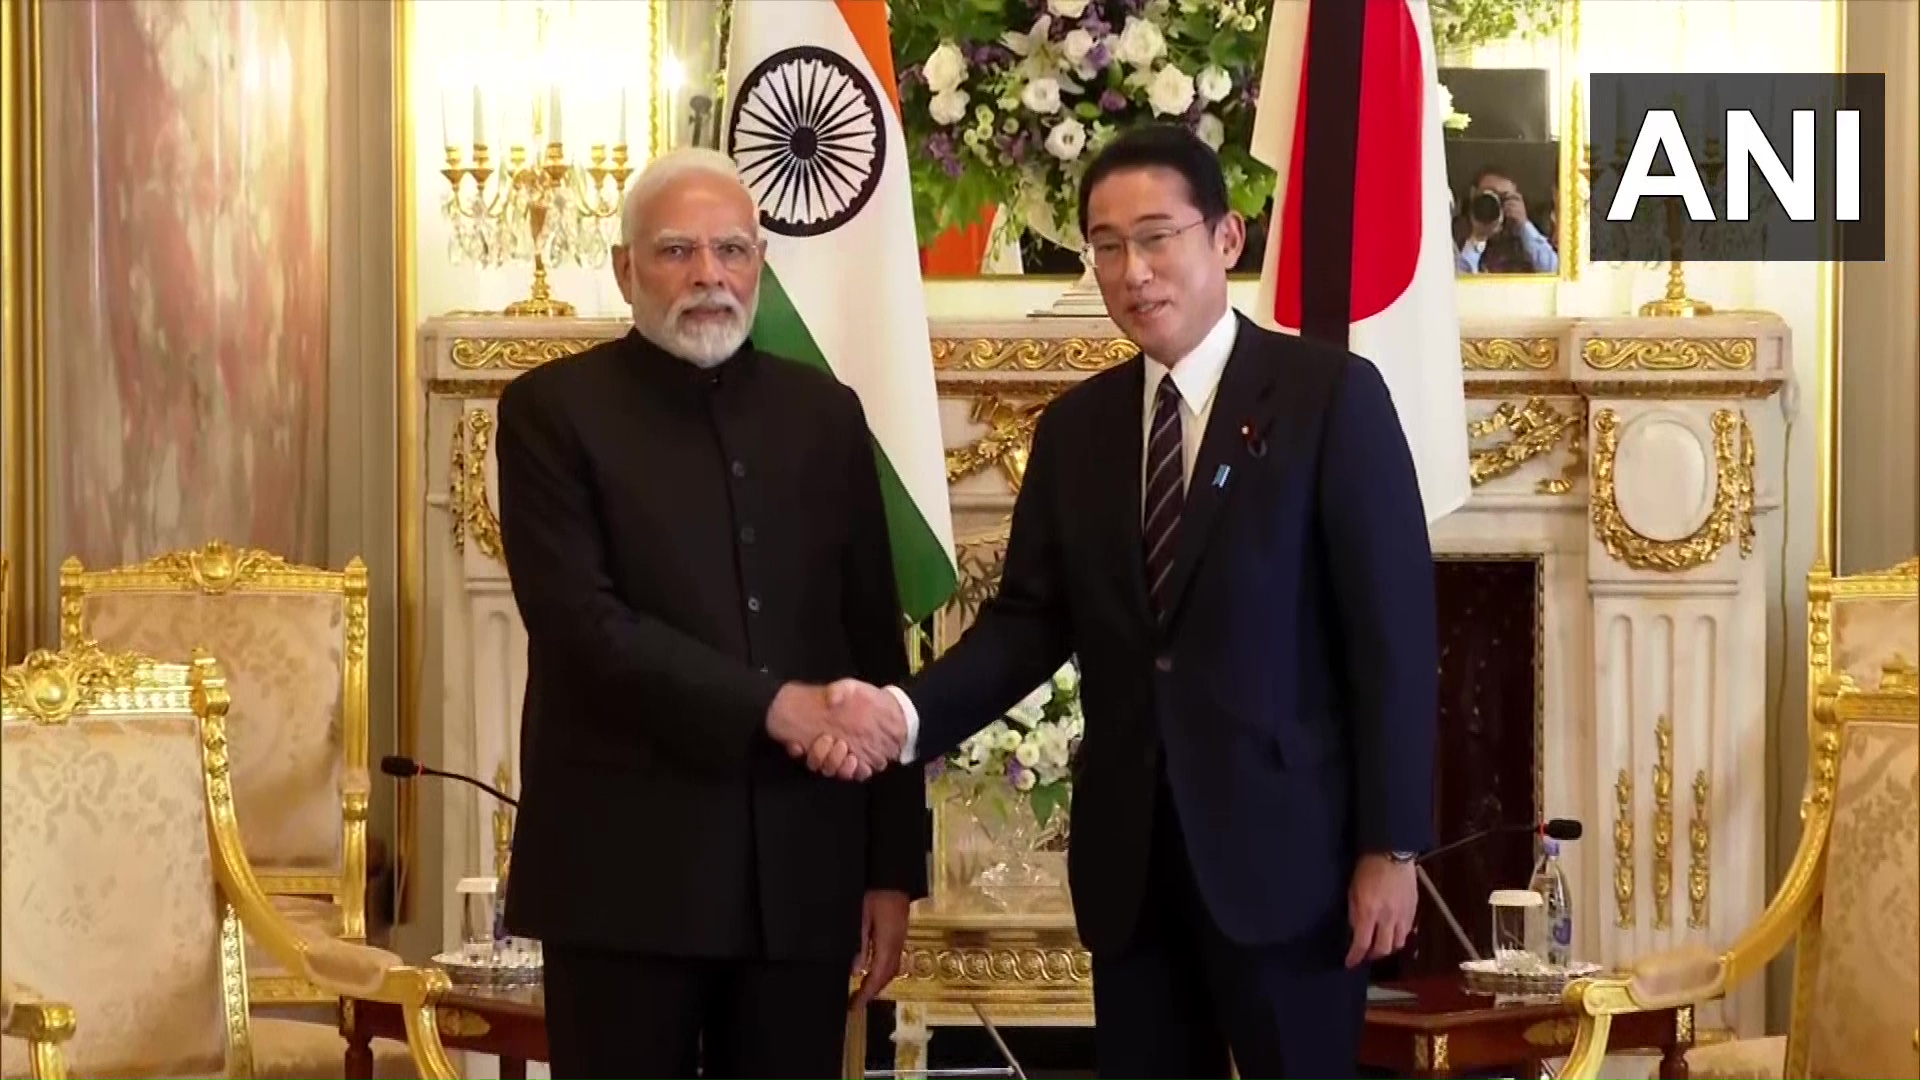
(1030, 750)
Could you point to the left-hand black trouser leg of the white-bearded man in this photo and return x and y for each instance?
(623, 1016)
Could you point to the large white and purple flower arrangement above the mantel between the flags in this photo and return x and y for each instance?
(1005, 101)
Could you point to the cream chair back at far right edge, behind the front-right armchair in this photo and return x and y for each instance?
(1861, 624)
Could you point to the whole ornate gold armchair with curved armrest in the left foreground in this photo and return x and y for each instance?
(128, 891)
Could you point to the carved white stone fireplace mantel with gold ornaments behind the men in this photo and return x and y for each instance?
(1635, 458)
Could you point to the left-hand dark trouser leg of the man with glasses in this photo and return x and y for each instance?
(1153, 1008)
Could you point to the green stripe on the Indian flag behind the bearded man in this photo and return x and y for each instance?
(921, 568)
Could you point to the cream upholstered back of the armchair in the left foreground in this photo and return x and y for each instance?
(107, 871)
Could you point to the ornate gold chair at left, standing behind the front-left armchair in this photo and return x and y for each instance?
(295, 643)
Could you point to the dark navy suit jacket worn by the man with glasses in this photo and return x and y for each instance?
(1291, 697)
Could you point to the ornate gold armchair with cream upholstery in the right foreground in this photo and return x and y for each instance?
(1850, 904)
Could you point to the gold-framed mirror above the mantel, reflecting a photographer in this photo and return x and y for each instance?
(1508, 66)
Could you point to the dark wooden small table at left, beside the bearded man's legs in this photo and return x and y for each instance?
(506, 1023)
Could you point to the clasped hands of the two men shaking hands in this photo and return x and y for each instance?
(848, 729)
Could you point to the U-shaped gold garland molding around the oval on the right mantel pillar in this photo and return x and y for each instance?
(1733, 501)
